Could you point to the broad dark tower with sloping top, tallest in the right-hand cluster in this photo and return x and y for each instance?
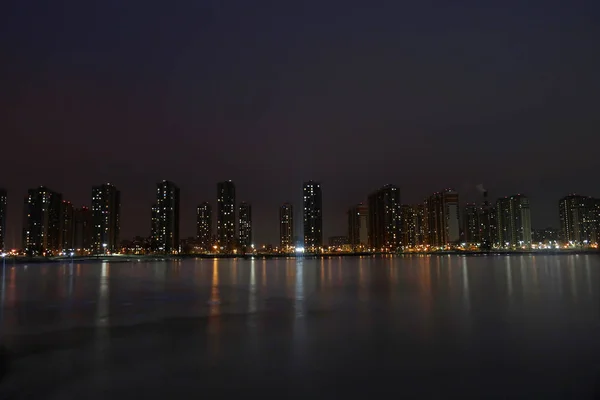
(385, 219)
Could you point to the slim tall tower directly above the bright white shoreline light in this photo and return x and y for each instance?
(313, 216)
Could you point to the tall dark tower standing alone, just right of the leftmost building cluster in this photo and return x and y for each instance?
(165, 218)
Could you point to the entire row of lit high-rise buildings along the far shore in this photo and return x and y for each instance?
(53, 226)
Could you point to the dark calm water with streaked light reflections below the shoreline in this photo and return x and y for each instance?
(427, 327)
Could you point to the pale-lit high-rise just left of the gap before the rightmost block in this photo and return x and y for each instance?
(514, 221)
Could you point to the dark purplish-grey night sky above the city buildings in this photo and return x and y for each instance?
(355, 94)
